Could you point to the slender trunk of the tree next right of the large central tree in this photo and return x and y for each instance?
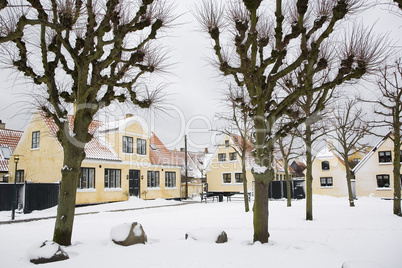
(309, 175)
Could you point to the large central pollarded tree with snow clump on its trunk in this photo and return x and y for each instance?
(258, 46)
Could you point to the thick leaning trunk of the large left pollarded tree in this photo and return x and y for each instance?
(73, 157)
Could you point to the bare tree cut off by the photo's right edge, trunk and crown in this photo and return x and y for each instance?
(388, 108)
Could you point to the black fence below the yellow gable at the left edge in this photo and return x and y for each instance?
(30, 196)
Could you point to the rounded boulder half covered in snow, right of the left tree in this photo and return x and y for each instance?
(128, 234)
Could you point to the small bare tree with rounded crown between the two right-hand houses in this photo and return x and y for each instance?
(350, 127)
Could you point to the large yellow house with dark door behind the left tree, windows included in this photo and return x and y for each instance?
(120, 161)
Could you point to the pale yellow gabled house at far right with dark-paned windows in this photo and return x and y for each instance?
(374, 173)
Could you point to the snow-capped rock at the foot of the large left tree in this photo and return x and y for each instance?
(48, 251)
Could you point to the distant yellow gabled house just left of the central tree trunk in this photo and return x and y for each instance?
(224, 170)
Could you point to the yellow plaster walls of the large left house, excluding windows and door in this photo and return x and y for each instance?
(44, 165)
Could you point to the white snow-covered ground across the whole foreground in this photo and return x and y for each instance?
(368, 232)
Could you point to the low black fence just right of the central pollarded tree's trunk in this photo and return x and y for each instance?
(277, 189)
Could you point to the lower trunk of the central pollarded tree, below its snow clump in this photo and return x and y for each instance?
(260, 209)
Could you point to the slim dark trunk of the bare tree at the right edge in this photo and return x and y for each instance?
(397, 167)
